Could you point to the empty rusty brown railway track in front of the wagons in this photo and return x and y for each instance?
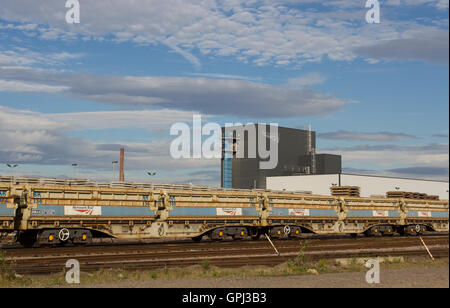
(223, 254)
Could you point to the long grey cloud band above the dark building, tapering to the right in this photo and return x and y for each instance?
(203, 95)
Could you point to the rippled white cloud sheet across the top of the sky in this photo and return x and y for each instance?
(279, 33)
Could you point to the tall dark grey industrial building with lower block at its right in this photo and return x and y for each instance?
(296, 156)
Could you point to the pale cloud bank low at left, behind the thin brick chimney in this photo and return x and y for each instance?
(37, 138)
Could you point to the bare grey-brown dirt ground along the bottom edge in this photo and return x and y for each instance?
(435, 277)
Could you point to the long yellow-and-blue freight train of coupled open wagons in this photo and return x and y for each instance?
(52, 212)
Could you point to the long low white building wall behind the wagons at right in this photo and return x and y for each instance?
(370, 185)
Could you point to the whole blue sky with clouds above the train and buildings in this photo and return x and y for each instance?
(375, 93)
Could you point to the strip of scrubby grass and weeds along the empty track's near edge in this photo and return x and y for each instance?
(296, 266)
